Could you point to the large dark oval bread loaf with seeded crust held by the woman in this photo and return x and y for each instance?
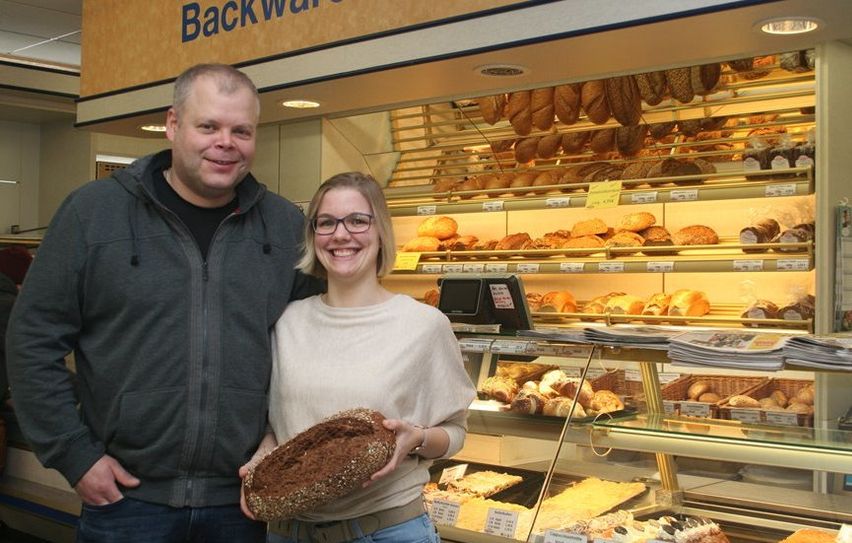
(317, 466)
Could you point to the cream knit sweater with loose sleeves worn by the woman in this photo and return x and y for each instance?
(399, 357)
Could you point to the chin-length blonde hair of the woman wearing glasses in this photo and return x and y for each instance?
(367, 186)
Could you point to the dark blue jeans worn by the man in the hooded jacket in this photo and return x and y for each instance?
(134, 521)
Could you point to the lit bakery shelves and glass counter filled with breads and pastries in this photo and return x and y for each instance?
(687, 210)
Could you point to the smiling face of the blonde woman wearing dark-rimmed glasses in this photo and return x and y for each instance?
(346, 256)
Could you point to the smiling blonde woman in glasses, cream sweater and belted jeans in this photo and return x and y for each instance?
(361, 345)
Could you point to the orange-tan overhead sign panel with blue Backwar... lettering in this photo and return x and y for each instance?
(128, 44)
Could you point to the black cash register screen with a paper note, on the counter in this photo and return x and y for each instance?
(486, 299)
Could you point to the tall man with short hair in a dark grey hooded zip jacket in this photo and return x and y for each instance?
(164, 280)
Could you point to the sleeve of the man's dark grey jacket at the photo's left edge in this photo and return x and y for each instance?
(44, 327)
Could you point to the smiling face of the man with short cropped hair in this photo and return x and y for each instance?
(213, 142)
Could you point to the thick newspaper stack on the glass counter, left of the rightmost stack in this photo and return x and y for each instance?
(729, 349)
